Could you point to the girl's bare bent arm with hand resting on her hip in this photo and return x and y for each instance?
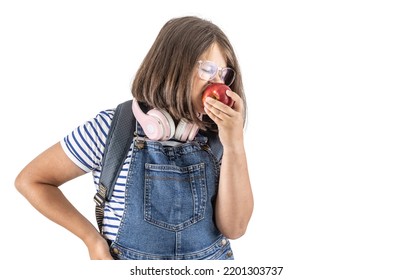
(38, 182)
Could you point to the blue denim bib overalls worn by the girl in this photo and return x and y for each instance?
(169, 204)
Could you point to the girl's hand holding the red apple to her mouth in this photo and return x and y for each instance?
(230, 121)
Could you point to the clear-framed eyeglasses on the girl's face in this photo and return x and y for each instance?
(208, 70)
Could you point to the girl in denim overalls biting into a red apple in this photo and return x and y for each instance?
(175, 198)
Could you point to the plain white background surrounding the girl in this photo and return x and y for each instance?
(329, 134)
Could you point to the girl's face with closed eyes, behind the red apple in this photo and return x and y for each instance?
(214, 55)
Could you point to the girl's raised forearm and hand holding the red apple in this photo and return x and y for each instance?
(234, 202)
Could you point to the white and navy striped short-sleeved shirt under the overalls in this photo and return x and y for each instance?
(85, 146)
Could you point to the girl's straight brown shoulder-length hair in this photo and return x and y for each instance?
(164, 79)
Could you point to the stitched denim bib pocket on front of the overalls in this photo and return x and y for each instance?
(175, 197)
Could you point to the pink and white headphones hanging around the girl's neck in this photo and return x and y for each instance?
(158, 125)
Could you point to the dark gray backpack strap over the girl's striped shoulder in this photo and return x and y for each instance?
(118, 142)
